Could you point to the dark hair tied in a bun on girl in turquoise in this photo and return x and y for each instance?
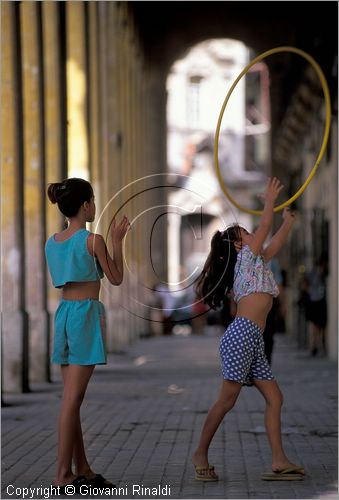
(70, 194)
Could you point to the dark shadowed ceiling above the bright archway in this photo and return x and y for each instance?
(168, 29)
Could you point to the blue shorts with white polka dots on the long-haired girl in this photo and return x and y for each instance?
(242, 353)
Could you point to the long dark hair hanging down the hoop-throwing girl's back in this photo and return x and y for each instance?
(217, 276)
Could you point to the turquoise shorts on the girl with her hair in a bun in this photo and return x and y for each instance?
(79, 329)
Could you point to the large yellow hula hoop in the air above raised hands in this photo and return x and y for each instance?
(325, 135)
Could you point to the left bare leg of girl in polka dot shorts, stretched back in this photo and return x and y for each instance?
(225, 402)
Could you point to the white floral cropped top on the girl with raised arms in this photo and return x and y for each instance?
(252, 275)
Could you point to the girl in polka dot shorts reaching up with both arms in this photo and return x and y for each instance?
(237, 262)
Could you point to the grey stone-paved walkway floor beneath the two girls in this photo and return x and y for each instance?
(142, 417)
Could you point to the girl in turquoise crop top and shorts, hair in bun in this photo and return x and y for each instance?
(77, 260)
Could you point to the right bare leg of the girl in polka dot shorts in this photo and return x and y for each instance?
(274, 399)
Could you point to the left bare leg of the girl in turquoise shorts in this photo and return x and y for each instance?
(76, 379)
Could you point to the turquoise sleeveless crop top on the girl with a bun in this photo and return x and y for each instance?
(70, 260)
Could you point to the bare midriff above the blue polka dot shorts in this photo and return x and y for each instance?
(255, 307)
